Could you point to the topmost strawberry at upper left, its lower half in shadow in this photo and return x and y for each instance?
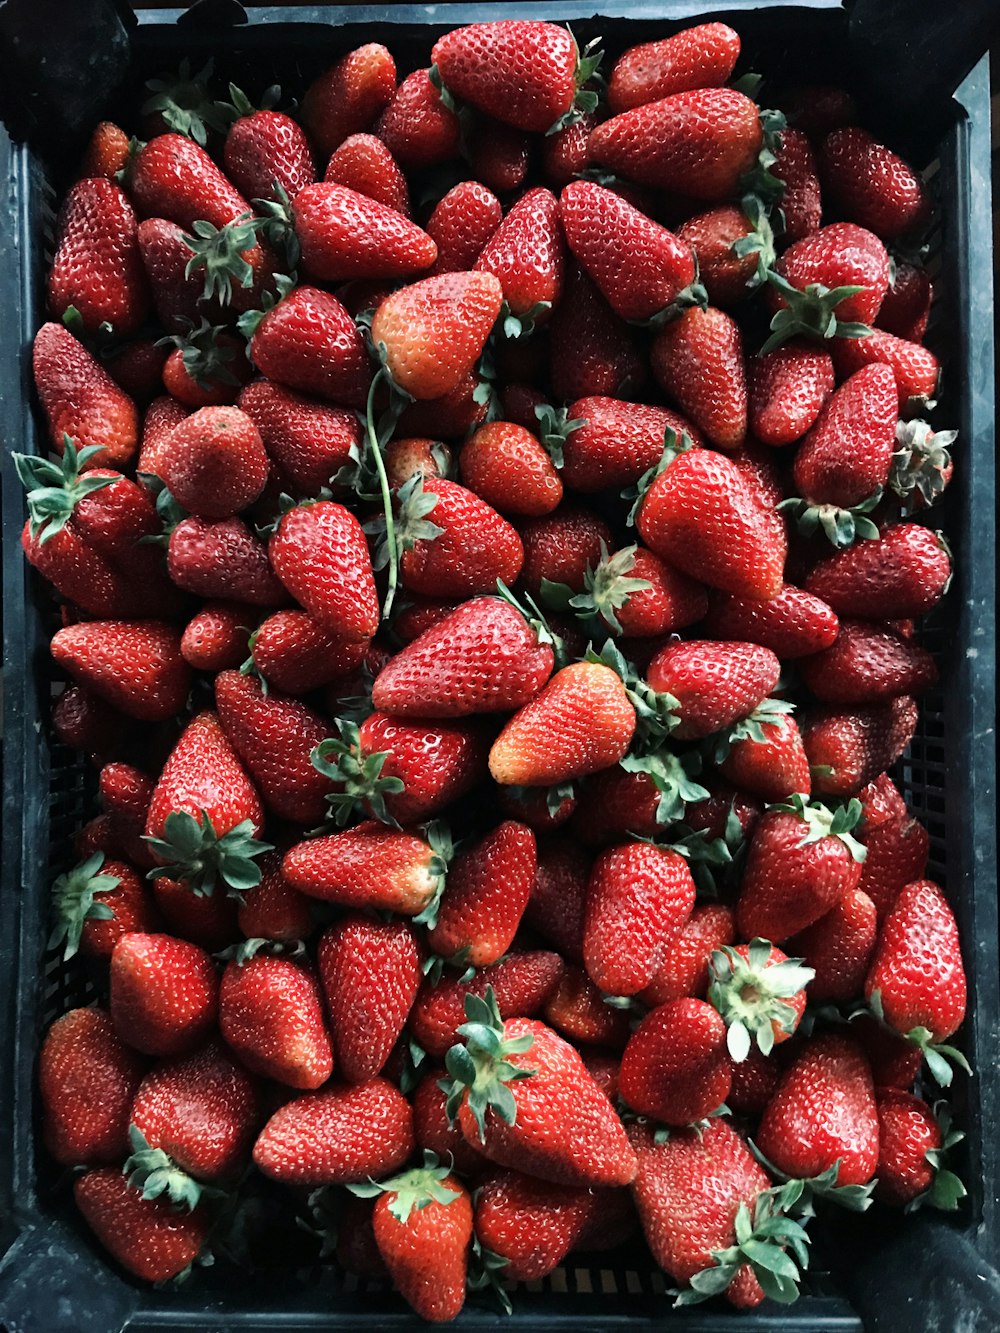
(349, 97)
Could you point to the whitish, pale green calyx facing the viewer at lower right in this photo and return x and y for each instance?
(753, 995)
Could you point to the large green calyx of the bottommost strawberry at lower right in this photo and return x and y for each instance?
(770, 1242)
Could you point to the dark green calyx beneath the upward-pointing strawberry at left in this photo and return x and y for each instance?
(202, 858)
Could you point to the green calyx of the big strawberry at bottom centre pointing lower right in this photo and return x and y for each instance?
(481, 1067)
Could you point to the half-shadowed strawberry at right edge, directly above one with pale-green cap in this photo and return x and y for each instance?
(849, 747)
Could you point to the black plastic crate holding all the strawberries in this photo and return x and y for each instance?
(930, 1274)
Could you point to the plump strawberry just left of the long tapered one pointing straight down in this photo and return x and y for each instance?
(271, 1016)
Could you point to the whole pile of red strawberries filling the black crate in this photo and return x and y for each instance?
(493, 638)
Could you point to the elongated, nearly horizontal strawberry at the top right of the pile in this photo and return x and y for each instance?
(695, 58)
